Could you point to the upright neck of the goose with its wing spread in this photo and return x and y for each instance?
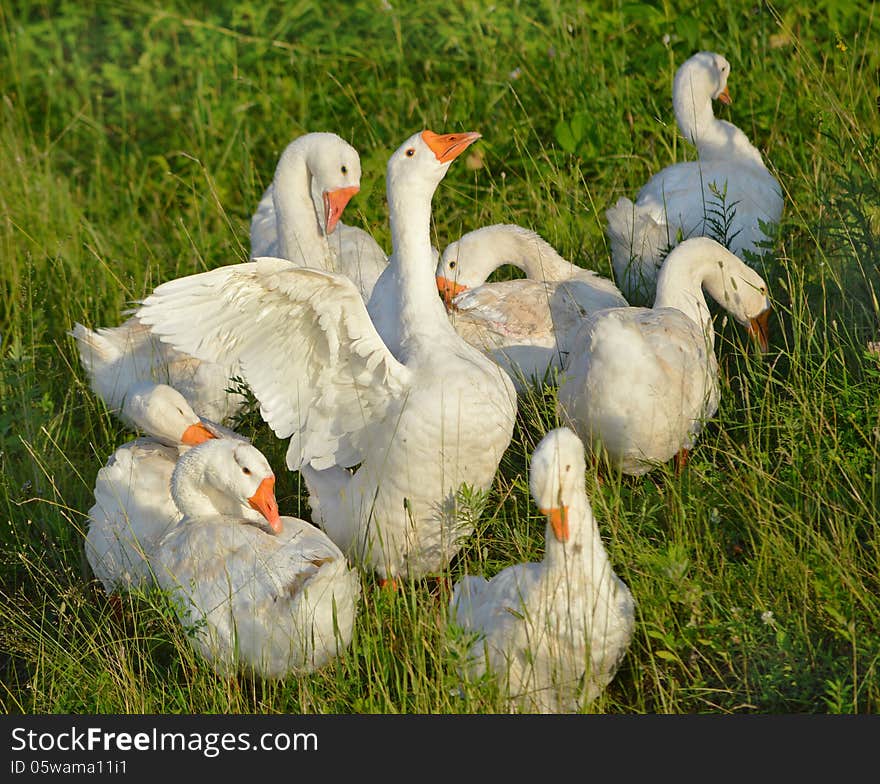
(412, 265)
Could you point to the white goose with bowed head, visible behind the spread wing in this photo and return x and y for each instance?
(298, 217)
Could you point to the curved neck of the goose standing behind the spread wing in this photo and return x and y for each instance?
(300, 237)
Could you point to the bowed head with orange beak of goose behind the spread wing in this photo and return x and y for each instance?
(334, 168)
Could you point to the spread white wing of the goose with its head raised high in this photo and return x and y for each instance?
(305, 346)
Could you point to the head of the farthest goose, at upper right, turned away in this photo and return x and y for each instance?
(699, 80)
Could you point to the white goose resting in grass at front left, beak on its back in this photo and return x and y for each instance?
(265, 594)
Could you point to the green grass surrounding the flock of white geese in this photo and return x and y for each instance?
(136, 139)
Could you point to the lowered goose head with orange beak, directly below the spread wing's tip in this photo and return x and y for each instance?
(162, 412)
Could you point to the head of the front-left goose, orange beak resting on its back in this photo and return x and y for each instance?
(229, 478)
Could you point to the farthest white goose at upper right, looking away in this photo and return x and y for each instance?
(679, 200)
